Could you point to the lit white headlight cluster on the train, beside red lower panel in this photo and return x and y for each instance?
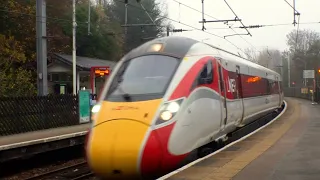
(168, 111)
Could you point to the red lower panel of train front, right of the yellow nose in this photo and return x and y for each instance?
(156, 157)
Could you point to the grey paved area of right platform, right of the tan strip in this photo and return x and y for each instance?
(296, 156)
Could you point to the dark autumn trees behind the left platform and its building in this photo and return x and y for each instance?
(106, 41)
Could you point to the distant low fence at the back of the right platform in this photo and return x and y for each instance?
(302, 92)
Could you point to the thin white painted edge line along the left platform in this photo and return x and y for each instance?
(43, 140)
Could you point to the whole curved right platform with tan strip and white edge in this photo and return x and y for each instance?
(288, 148)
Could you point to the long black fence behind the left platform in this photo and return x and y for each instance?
(25, 114)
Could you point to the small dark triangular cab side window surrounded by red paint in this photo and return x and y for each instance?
(205, 75)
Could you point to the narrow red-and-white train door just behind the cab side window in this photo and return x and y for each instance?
(224, 110)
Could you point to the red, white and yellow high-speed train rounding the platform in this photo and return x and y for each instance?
(169, 98)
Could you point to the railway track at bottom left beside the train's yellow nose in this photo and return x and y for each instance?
(77, 171)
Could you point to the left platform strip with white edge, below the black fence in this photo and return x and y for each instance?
(36, 137)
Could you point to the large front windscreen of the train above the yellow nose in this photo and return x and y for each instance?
(142, 78)
